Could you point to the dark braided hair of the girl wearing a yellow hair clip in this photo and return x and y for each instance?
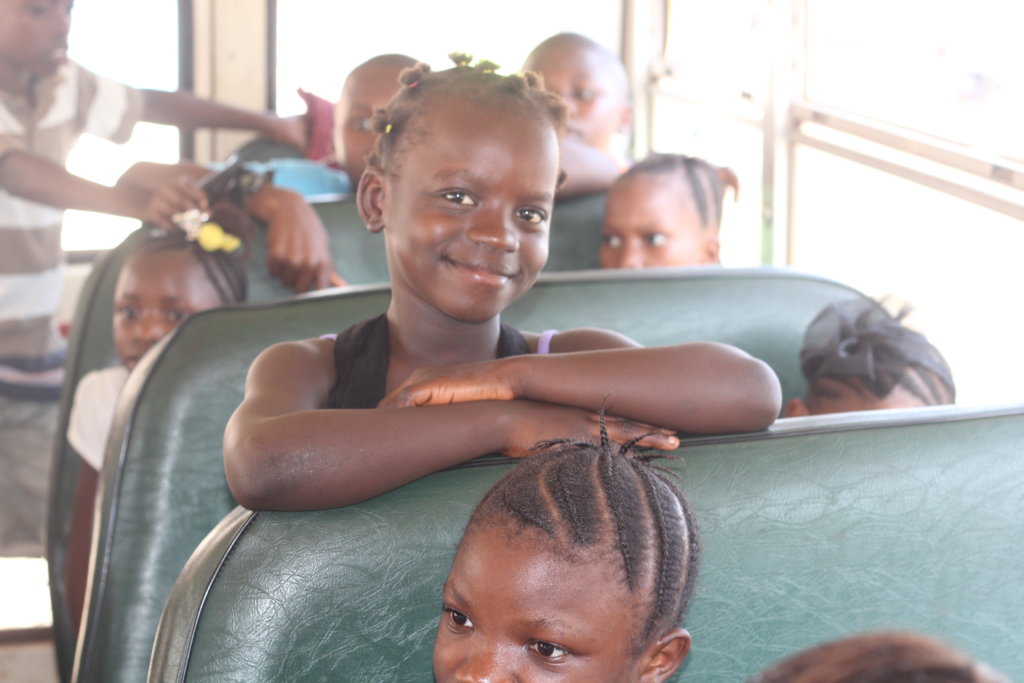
(226, 271)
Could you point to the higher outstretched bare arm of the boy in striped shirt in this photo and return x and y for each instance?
(184, 109)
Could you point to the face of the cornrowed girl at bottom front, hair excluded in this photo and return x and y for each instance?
(514, 611)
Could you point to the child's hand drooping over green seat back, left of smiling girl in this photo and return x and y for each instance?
(298, 251)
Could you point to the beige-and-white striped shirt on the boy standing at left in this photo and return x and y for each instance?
(67, 104)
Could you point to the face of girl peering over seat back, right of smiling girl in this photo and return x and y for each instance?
(652, 221)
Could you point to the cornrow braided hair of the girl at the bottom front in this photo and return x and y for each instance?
(583, 497)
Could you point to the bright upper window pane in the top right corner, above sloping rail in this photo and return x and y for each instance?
(948, 69)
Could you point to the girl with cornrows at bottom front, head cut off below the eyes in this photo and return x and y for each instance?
(579, 565)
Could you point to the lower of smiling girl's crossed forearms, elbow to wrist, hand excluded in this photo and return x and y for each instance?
(322, 459)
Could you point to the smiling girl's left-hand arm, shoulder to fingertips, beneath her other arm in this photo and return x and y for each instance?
(283, 451)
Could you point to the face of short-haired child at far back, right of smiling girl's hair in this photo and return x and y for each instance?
(593, 91)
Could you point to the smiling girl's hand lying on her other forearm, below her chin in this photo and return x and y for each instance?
(439, 386)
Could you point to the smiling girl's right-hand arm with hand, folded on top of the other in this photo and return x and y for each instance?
(700, 389)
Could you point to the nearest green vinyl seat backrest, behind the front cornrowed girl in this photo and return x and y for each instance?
(820, 529)
